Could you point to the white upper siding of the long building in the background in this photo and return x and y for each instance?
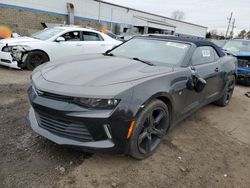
(90, 9)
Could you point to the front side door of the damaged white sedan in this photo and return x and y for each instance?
(70, 47)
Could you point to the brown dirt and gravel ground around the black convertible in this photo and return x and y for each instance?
(209, 149)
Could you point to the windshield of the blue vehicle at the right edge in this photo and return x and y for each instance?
(237, 46)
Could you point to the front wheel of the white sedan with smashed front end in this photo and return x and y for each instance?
(35, 59)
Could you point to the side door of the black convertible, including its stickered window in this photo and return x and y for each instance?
(204, 61)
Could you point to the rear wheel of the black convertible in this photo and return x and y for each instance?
(228, 92)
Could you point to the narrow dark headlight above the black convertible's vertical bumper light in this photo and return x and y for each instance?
(98, 103)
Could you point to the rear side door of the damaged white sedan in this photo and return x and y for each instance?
(93, 42)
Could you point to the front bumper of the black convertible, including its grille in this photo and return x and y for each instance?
(71, 125)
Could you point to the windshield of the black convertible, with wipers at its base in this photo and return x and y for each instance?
(157, 52)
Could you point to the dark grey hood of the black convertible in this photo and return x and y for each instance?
(99, 71)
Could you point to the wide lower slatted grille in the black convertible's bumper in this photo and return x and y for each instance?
(63, 128)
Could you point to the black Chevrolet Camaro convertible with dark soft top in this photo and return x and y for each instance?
(125, 101)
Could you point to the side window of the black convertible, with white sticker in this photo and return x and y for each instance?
(203, 55)
